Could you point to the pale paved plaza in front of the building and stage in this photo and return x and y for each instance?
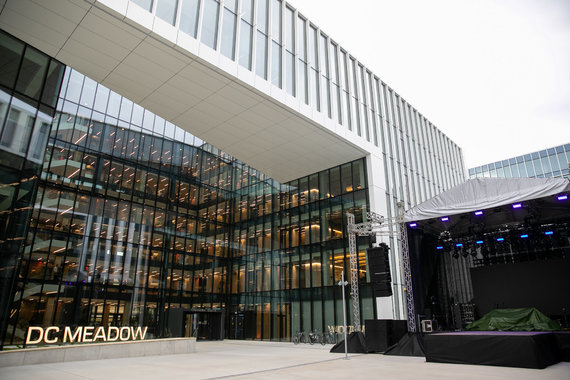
(271, 360)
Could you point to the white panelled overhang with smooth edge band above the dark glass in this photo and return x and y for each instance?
(150, 62)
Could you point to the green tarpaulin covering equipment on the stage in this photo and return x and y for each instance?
(525, 319)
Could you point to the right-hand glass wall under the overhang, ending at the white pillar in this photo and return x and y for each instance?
(289, 248)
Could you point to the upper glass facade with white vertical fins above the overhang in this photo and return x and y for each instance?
(279, 45)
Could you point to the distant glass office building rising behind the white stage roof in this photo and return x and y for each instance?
(546, 163)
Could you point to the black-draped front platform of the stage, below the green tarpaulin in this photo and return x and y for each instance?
(500, 348)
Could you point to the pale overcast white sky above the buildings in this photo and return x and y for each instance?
(493, 75)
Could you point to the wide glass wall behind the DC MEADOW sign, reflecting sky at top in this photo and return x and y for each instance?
(131, 218)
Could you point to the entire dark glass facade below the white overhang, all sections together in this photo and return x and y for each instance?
(125, 218)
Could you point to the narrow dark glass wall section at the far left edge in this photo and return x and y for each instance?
(29, 84)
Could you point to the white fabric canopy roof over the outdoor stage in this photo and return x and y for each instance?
(483, 193)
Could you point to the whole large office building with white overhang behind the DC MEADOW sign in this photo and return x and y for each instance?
(117, 212)
